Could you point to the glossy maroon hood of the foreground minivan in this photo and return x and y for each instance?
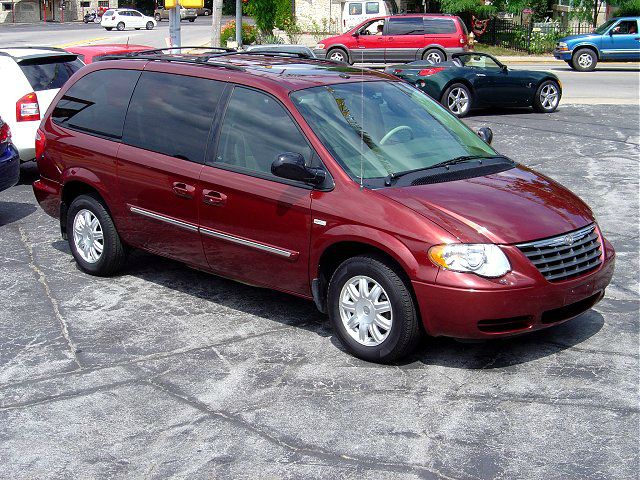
(514, 206)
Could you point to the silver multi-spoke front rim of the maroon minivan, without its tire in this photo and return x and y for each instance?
(365, 311)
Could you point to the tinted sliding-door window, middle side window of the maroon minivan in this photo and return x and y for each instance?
(172, 114)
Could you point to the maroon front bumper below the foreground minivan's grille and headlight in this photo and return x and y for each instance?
(479, 314)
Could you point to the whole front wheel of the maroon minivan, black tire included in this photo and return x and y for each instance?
(373, 343)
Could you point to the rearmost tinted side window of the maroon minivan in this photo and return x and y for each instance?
(97, 103)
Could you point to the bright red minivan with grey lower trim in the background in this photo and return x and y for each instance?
(400, 38)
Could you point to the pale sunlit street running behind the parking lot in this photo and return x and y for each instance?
(609, 84)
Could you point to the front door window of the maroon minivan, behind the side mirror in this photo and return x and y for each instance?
(257, 129)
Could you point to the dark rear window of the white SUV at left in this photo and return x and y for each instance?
(49, 72)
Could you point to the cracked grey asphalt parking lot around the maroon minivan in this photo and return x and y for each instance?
(165, 371)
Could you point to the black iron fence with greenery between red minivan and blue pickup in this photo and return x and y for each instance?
(532, 38)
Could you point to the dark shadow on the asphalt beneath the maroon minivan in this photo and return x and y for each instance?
(296, 312)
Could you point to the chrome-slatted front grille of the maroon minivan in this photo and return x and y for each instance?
(565, 256)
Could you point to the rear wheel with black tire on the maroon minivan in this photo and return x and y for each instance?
(112, 256)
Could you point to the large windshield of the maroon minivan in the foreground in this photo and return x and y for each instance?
(377, 129)
